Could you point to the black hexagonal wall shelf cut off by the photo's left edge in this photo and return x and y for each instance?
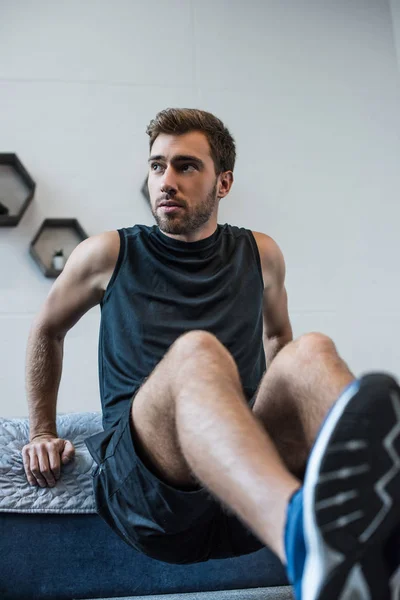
(16, 189)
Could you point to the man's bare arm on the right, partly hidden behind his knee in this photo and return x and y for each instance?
(277, 327)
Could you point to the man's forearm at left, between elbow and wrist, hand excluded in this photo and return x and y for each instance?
(43, 374)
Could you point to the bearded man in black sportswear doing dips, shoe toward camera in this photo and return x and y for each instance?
(206, 429)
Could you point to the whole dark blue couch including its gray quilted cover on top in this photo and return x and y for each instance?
(53, 545)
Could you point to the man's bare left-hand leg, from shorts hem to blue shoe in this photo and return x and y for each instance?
(190, 417)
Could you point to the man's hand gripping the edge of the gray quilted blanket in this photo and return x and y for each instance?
(43, 457)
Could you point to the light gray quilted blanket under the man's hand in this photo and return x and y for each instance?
(73, 491)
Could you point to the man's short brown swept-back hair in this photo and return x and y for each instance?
(177, 121)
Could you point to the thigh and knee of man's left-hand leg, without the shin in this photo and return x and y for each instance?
(153, 416)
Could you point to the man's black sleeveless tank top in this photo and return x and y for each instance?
(162, 287)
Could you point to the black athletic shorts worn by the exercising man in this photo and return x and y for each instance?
(155, 518)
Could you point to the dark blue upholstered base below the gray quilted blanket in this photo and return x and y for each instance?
(77, 556)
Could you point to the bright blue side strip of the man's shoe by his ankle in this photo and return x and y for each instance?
(295, 546)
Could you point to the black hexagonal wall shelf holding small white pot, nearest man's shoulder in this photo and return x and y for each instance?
(55, 235)
